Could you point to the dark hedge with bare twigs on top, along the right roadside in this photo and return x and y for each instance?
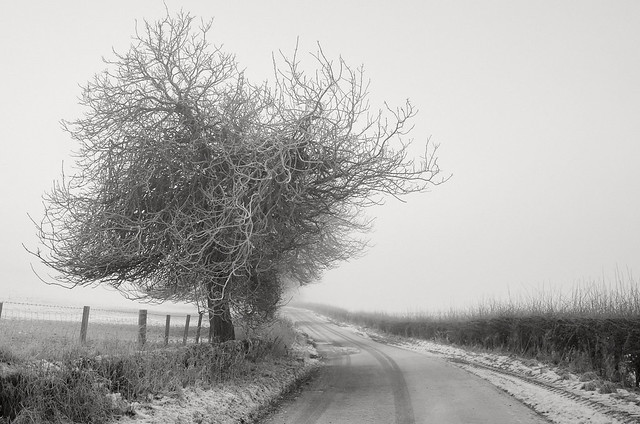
(595, 328)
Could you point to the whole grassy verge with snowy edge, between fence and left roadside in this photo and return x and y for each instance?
(76, 383)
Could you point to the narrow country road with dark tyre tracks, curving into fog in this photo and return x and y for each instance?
(369, 382)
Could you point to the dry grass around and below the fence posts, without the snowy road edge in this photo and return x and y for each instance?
(53, 378)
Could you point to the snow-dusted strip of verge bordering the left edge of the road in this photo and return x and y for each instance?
(237, 401)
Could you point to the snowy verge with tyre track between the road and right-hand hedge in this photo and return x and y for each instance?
(556, 394)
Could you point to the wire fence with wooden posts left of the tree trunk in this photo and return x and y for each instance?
(31, 323)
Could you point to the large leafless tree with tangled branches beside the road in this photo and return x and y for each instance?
(193, 184)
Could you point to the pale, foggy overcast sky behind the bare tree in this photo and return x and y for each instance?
(535, 106)
